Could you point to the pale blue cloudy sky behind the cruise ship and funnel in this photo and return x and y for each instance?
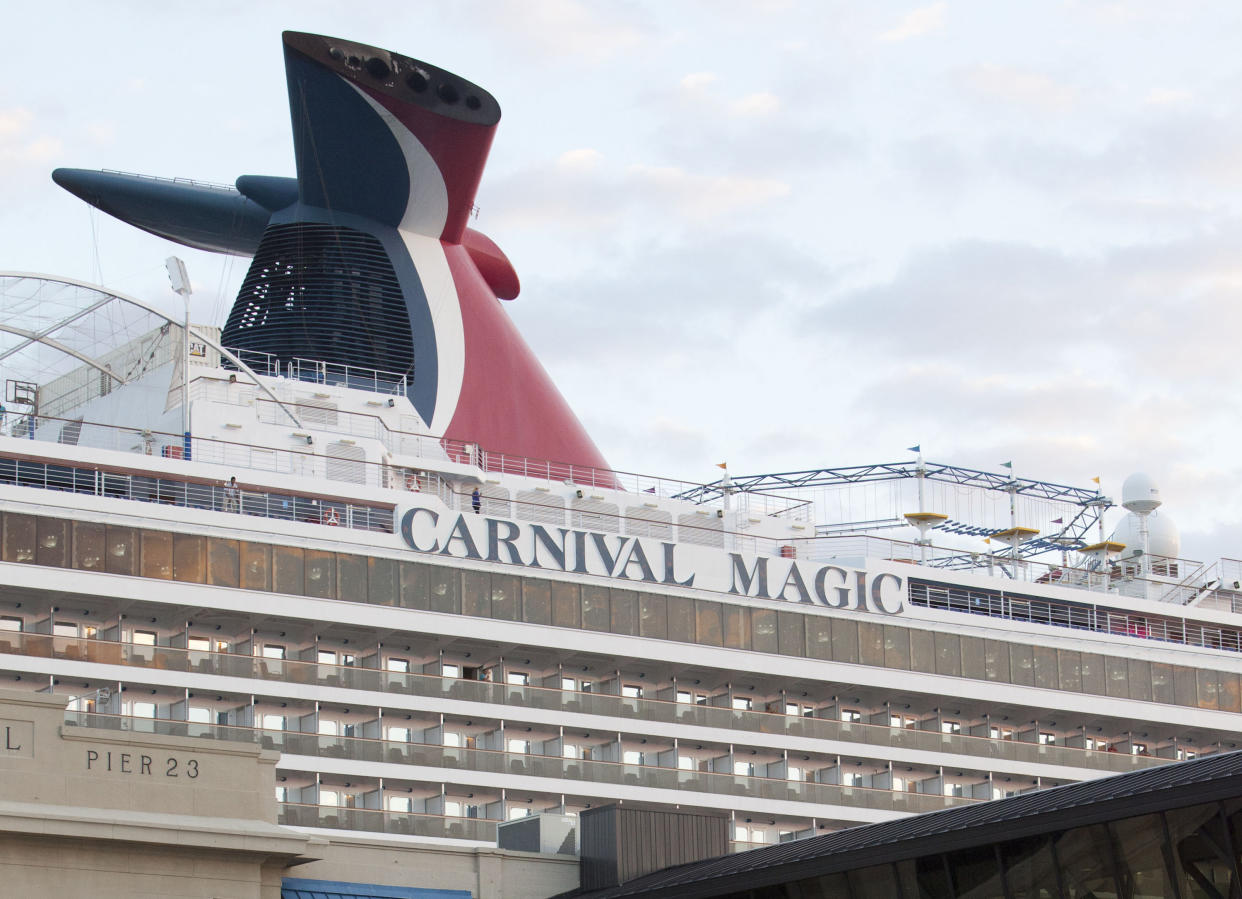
(774, 234)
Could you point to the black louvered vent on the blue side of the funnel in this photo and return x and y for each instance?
(325, 294)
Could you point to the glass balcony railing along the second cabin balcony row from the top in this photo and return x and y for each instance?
(527, 764)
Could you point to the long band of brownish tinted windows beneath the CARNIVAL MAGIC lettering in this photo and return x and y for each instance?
(762, 628)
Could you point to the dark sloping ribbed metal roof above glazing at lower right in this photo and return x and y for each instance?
(1107, 799)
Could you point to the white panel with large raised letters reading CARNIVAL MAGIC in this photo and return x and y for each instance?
(645, 561)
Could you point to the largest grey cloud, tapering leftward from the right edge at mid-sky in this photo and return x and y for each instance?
(1149, 309)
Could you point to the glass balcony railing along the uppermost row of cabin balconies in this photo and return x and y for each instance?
(556, 700)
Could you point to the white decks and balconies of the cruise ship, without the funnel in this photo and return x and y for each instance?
(439, 638)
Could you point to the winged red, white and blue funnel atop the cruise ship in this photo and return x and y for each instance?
(366, 259)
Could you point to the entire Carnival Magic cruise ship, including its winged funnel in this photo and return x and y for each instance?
(357, 523)
